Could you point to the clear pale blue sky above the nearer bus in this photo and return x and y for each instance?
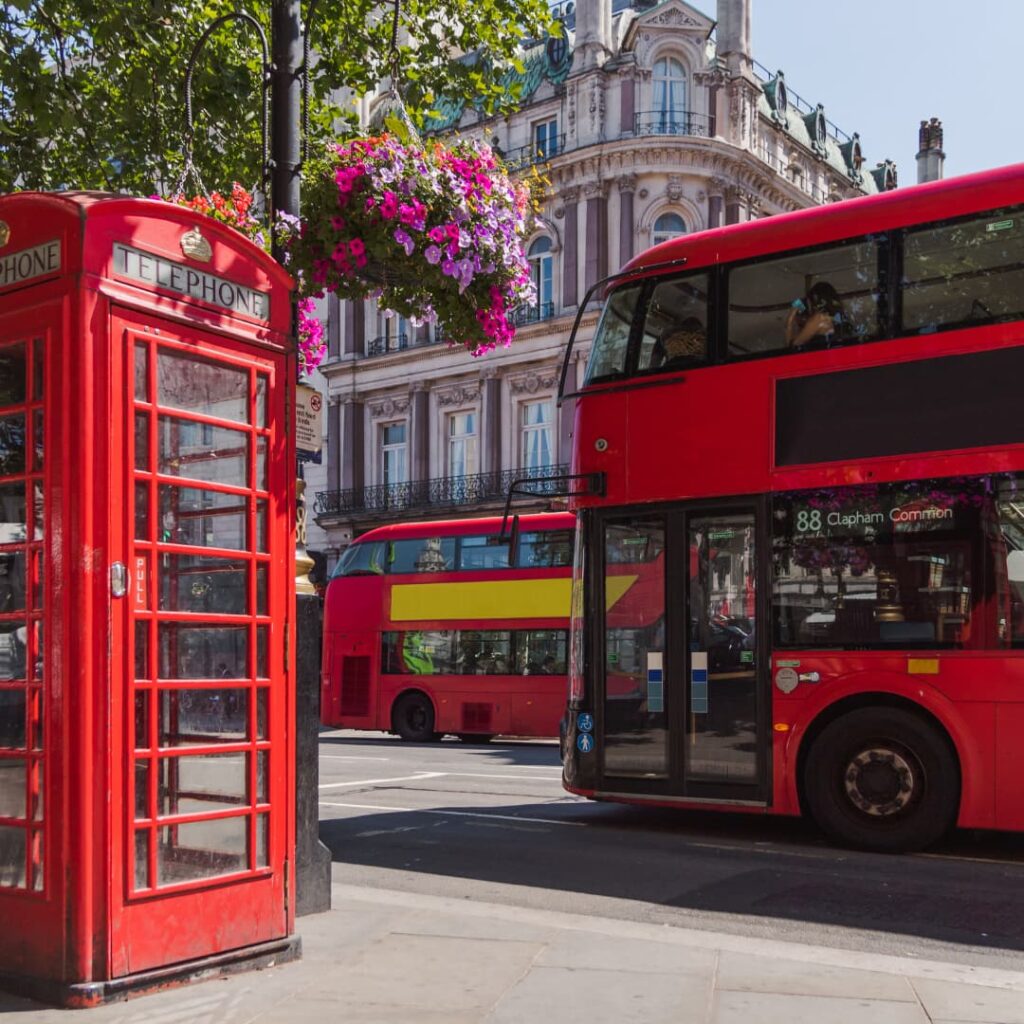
(882, 67)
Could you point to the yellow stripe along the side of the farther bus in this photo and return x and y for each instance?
(497, 600)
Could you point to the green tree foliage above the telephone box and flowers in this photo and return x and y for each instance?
(93, 93)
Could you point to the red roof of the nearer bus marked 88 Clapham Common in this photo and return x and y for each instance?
(850, 219)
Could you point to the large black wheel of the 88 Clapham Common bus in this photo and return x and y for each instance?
(882, 780)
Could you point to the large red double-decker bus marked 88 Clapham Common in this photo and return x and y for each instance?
(800, 575)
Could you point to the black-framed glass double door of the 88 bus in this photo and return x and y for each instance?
(684, 693)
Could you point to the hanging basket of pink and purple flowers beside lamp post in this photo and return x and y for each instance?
(435, 233)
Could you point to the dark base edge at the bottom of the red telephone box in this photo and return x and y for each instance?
(95, 994)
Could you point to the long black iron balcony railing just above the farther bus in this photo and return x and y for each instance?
(438, 493)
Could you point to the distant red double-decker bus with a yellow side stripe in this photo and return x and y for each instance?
(430, 629)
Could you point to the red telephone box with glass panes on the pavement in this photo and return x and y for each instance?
(147, 592)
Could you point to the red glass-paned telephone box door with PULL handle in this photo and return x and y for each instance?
(199, 696)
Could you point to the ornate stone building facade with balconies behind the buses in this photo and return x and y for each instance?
(651, 120)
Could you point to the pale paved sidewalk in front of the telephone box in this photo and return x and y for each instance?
(381, 957)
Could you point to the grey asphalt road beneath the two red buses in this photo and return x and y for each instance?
(492, 823)
